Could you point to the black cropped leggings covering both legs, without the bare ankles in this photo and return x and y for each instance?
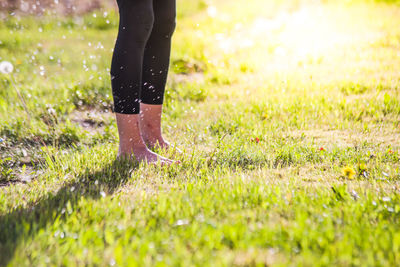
(141, 56)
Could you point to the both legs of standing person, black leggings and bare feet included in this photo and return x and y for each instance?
(139, 72)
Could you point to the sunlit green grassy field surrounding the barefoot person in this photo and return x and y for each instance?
(288, 113)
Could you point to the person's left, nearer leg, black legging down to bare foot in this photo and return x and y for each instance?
(136, 22)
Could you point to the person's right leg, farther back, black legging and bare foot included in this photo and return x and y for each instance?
(155, 71)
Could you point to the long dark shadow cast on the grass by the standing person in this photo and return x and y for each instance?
(23, 223)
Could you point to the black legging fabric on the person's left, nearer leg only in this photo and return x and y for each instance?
(135, 26)
